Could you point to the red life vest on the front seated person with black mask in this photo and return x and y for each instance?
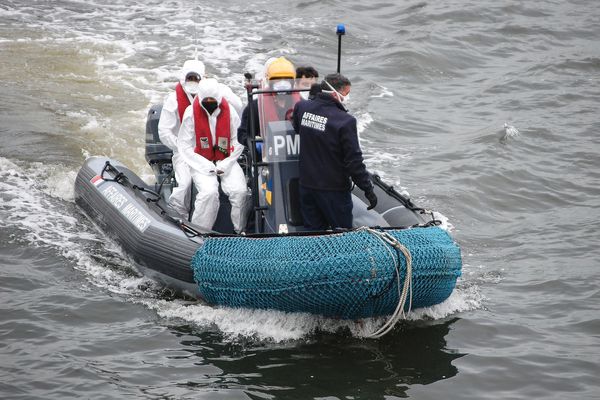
(204, 144)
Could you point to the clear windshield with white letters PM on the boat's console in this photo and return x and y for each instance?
(275, 108)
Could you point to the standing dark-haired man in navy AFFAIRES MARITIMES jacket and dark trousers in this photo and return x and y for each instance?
(330, 157)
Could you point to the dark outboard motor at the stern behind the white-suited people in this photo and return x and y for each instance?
(157, 154)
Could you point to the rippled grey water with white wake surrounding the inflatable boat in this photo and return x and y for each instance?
(484, 111)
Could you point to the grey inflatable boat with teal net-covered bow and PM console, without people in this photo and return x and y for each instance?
(396, 256)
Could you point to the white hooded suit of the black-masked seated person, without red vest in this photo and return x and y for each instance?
(204, 171)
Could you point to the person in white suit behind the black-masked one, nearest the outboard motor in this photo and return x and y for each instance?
(169, 123)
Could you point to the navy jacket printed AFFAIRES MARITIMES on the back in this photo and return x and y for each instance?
(329, 150)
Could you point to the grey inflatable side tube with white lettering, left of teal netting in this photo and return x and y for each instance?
(126, 214)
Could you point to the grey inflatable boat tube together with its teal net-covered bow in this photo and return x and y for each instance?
(345, 275)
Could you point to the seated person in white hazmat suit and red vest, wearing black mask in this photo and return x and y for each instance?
(208, 143)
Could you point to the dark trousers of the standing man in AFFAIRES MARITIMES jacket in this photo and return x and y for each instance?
(322, 209)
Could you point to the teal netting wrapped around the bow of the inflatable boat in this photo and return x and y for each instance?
(348, 275)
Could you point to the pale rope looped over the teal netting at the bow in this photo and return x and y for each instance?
(407, 287)
